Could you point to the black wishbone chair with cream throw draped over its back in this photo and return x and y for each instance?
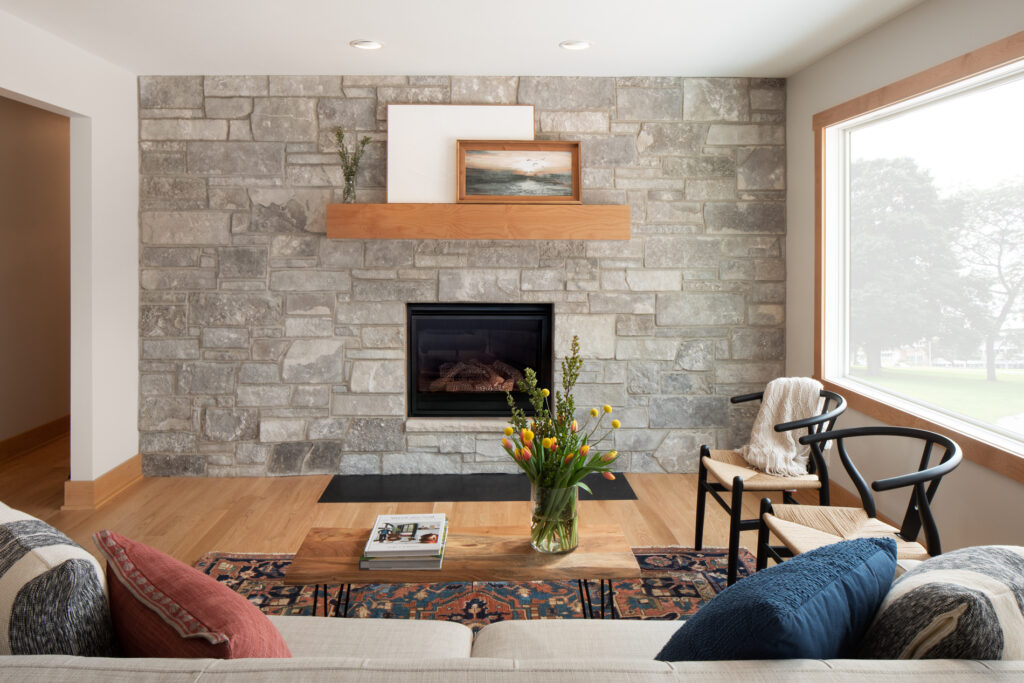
(728, 472)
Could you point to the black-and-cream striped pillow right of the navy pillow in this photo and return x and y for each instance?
(968, 604)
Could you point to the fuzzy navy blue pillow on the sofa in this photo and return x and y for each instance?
(817, 606)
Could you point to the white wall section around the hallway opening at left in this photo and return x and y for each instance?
(101, 99)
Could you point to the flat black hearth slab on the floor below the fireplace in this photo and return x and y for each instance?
(447, 488)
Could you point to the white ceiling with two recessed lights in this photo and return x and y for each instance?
(758, 38)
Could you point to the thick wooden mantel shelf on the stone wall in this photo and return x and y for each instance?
(479, 222)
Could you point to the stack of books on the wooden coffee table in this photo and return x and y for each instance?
(406, 542)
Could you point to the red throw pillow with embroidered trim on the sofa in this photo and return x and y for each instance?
(164, 609)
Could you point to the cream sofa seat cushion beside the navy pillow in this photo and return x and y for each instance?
(600, 639)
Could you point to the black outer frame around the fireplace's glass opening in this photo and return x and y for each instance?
(436, 405)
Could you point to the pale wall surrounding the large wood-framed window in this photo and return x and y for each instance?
(974, 505)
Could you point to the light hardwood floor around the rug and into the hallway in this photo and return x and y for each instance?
(188, 518)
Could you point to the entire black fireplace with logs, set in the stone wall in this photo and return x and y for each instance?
(463, 358)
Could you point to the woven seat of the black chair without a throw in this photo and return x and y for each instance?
(804, 528)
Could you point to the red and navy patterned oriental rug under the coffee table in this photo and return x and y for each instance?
(675, 583)
